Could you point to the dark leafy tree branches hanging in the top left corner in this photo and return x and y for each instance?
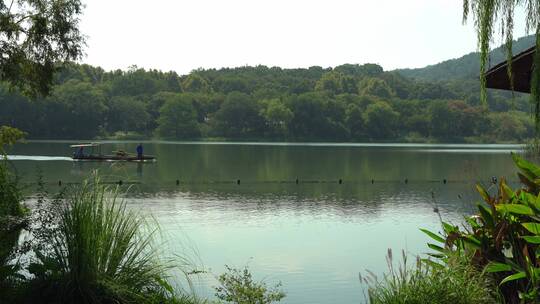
(35, 36)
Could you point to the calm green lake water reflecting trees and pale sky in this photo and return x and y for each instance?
(315, 236)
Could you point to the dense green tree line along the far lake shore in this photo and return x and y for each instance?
(345, 103)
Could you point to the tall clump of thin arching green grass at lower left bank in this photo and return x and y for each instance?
(100, 253)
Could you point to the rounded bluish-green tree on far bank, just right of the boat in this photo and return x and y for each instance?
(178, 119)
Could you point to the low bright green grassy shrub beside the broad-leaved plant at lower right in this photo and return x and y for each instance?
(428, 283)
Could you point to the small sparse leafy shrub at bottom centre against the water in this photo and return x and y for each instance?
(237, 286)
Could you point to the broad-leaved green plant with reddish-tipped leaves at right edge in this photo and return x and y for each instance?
(503, 239)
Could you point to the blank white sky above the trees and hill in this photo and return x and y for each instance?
(183, 35)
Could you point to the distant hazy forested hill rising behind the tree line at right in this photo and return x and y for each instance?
(466, 67)
